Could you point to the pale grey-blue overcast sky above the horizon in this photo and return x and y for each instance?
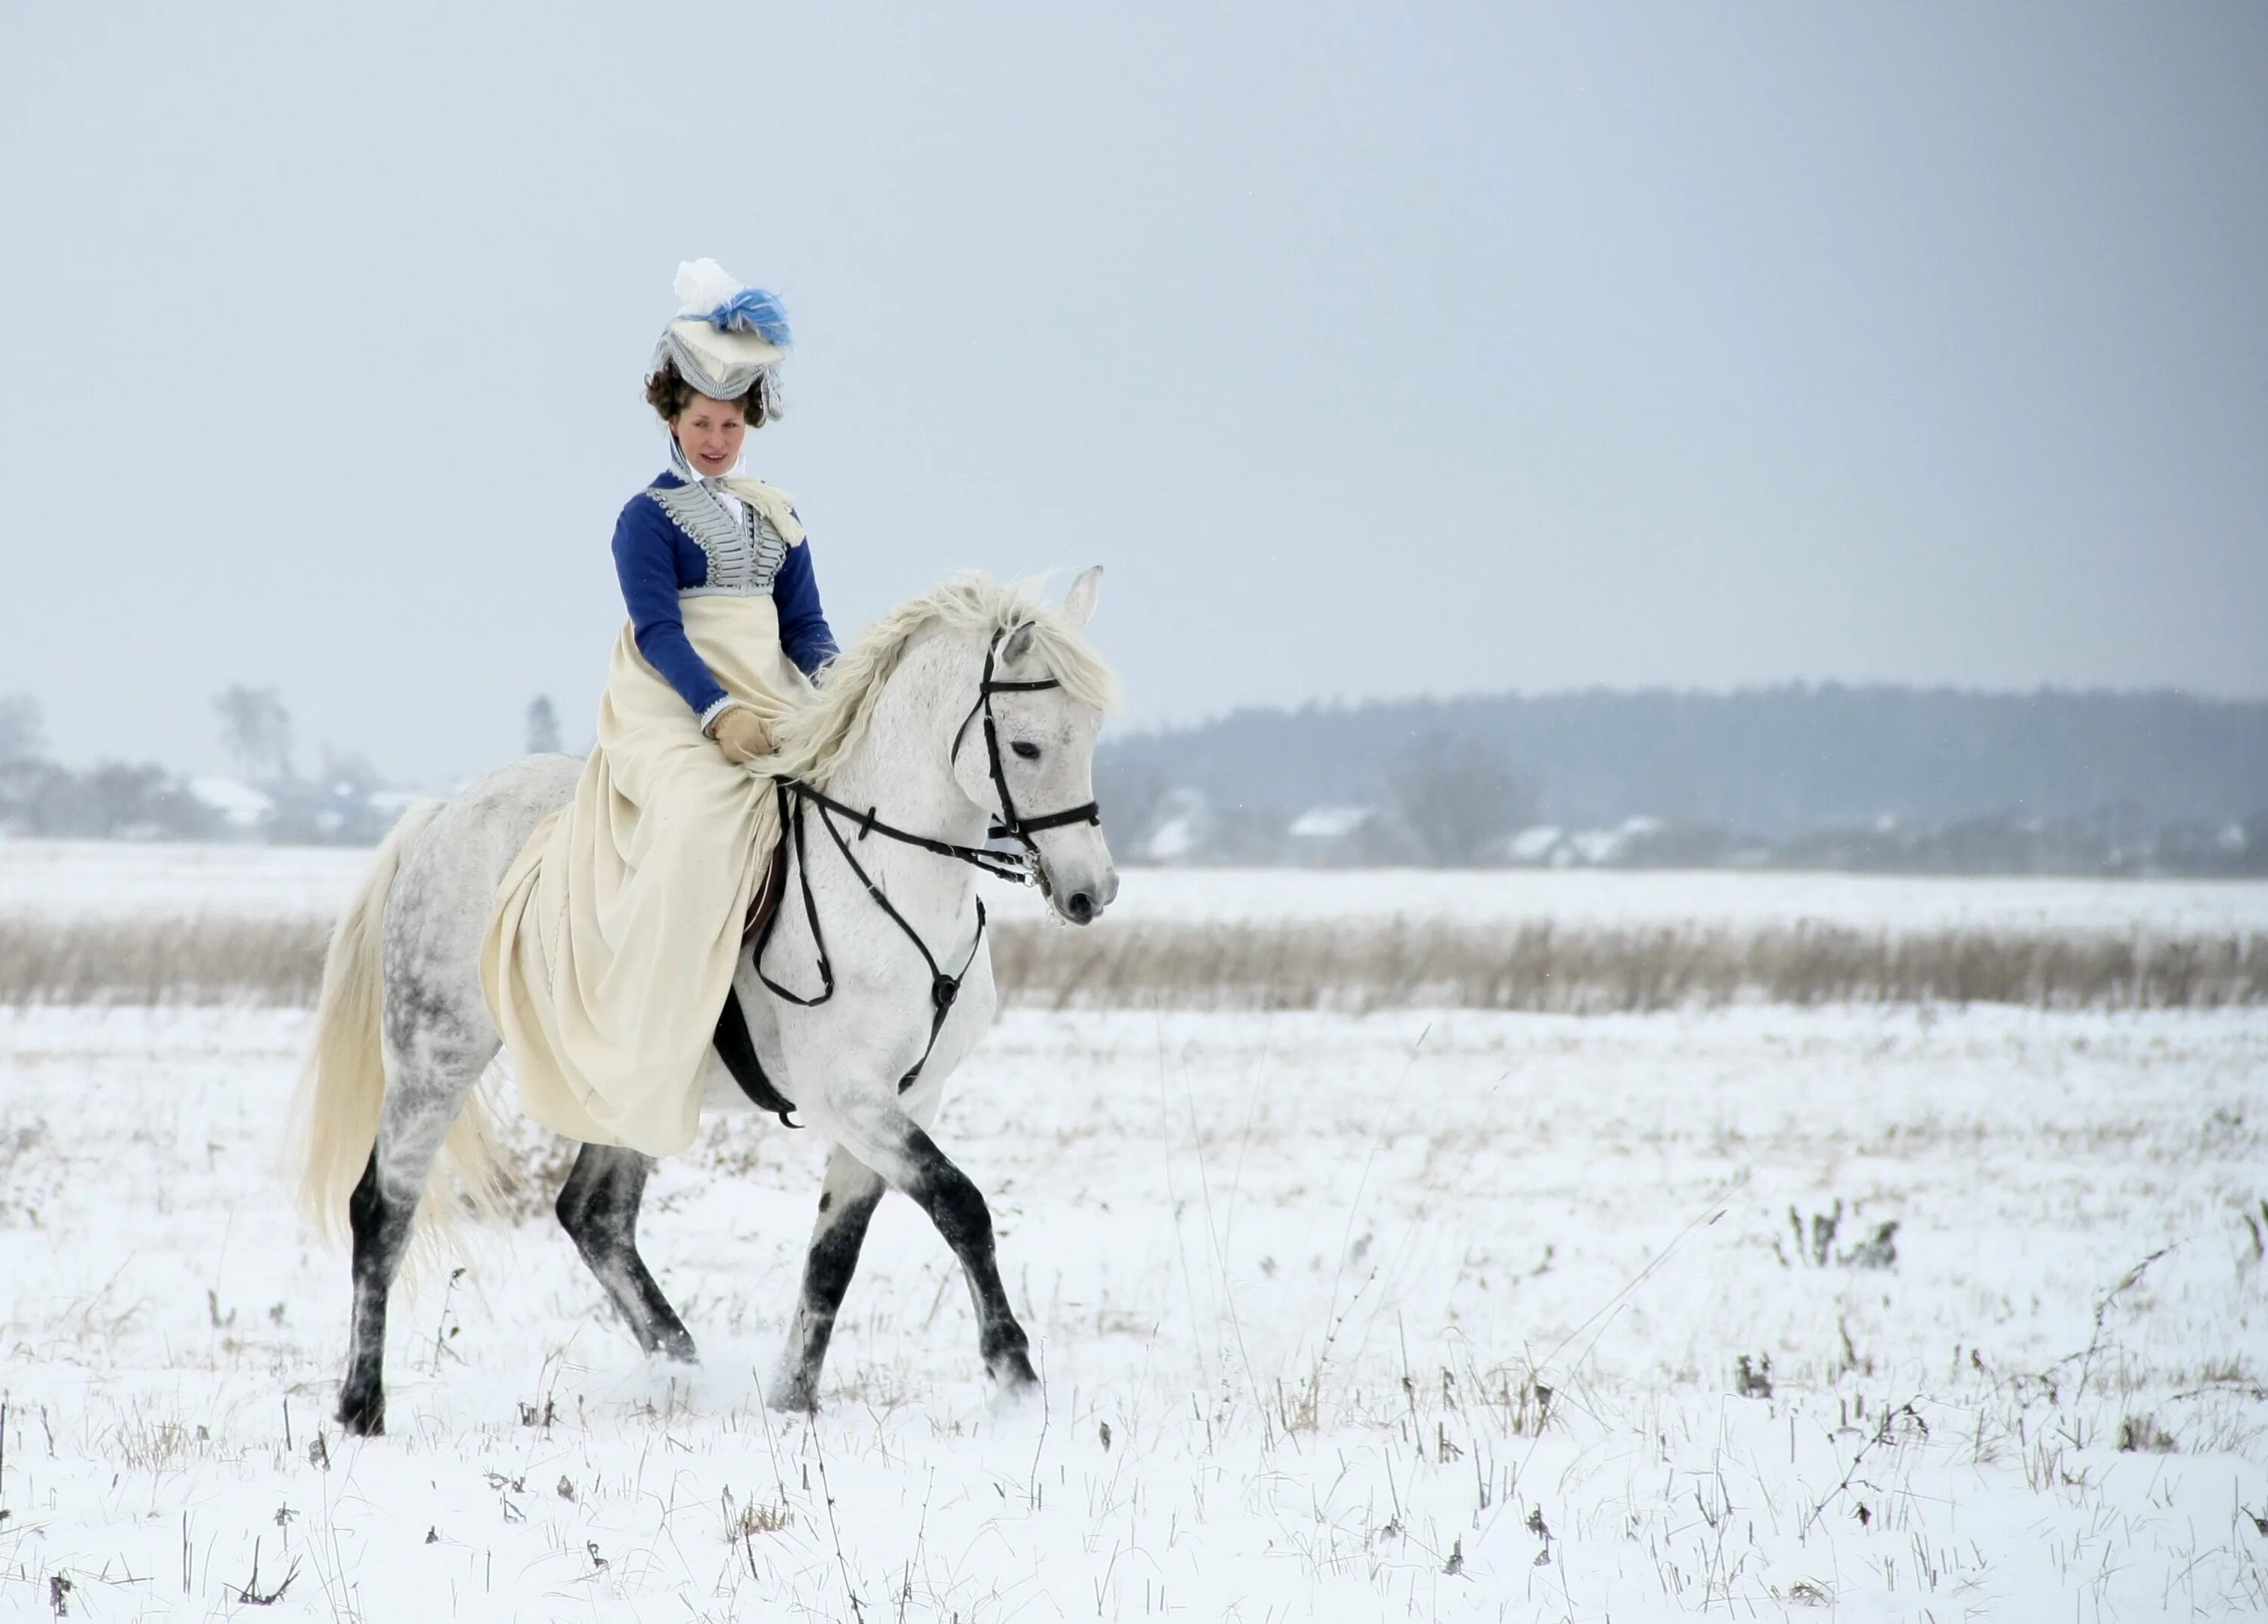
(1376, 350)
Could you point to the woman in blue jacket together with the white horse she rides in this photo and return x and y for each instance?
(591, 915)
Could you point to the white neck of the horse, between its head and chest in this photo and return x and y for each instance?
(904, 772)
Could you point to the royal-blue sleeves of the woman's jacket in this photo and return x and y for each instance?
(657, 561)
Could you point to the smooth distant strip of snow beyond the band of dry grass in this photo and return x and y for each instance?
(121, 879)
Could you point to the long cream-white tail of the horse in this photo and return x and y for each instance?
(335, 1122)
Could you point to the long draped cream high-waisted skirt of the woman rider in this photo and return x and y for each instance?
(613, 938)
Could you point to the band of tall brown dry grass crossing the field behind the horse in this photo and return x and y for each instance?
(1539, 967)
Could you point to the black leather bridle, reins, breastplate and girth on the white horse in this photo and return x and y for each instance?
(795, 800)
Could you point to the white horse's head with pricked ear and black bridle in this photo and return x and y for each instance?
(1029, 750)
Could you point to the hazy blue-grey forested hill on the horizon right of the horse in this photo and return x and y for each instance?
(1770, 763)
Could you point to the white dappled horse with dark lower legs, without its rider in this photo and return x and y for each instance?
(879, 915)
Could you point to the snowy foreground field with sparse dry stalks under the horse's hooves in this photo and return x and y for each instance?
(1298, 1287)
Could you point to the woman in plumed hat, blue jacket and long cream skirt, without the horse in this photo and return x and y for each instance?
(616, 931)
